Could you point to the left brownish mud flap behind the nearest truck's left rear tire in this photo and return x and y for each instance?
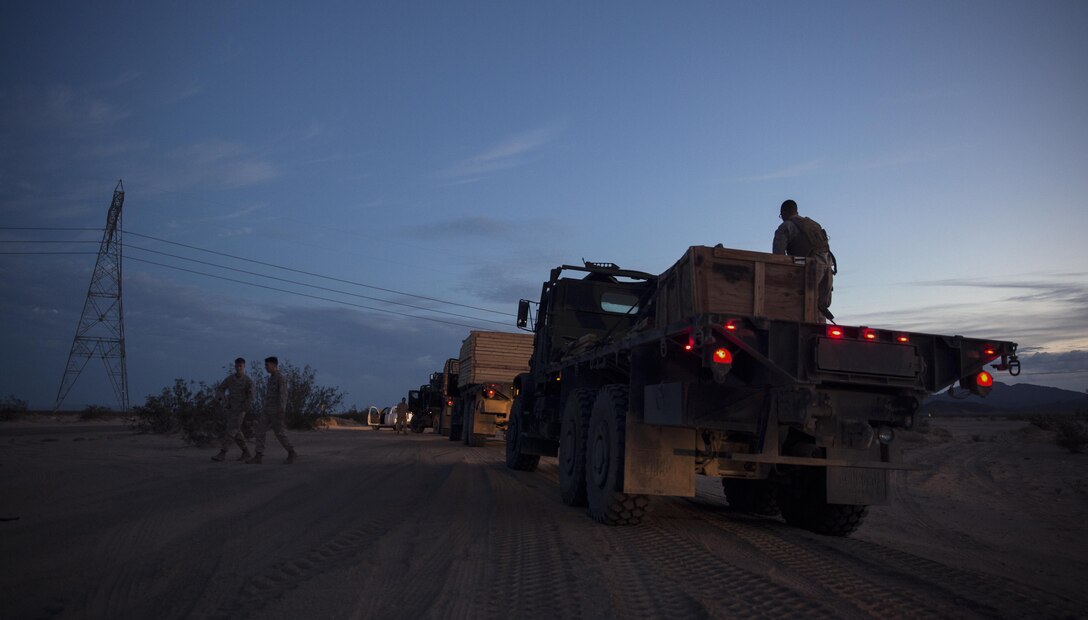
(656, 462)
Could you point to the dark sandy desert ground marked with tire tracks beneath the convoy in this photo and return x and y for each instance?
(100, 523)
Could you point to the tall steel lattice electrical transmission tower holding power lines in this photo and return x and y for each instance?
(102, 329)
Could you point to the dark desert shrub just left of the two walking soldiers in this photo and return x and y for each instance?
(187, 407)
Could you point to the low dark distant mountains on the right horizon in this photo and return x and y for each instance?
(1005, 399)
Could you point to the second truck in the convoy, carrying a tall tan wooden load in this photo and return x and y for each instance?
(488, 365)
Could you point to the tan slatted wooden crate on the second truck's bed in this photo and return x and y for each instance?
(494, 357)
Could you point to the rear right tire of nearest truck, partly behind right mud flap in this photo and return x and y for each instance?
(805, 505)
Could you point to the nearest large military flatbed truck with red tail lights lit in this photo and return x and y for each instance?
(721, 367)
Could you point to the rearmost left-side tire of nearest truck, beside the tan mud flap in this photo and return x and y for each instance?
(604, 463)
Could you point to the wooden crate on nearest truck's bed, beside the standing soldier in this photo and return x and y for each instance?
(738, 282)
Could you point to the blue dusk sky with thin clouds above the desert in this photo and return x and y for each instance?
(428, 164)
